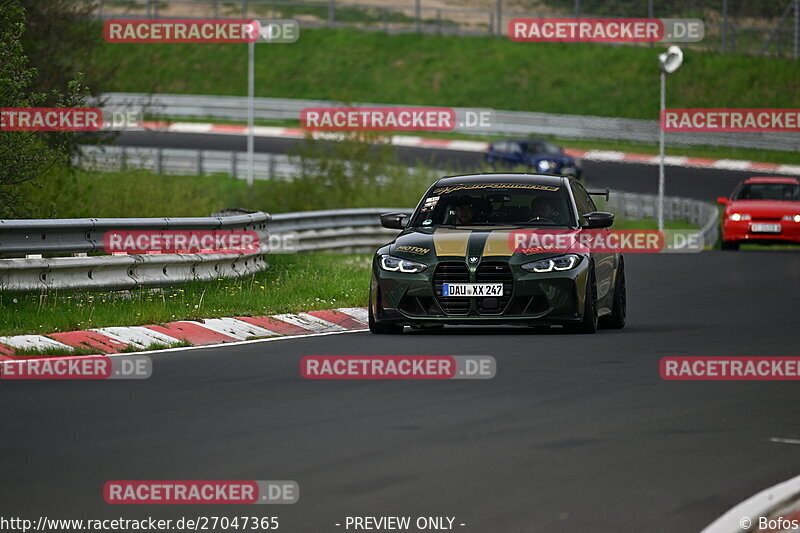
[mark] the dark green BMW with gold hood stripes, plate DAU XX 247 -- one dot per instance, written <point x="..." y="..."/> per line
<point x="461" y="258"/>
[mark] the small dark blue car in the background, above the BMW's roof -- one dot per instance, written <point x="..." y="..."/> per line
<point x="536" y="155"/>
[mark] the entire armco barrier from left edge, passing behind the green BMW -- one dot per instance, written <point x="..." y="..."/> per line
<point x="338" y="230"/>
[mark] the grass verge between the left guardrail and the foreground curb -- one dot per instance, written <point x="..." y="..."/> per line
<point x="338" y="281"/>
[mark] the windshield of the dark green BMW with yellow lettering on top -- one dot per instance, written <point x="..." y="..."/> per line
<point x="496" y="204"/>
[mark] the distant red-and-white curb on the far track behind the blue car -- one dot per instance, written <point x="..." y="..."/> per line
<point x="477" y="146"/>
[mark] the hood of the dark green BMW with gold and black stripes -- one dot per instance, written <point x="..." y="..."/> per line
<point x="493" y="243"/>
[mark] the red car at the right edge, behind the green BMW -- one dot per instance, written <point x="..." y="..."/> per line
<point x="762" y="211"/>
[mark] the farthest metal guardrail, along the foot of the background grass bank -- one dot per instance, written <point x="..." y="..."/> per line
<point x="516" y="123"/>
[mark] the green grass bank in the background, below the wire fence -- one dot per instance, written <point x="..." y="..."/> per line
<point x="350" y="65"/>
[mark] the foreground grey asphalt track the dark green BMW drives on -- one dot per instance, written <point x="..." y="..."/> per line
<point x="575" y="434"/>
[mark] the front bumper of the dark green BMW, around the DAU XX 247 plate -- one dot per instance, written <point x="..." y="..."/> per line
<point x="528" y="298"/>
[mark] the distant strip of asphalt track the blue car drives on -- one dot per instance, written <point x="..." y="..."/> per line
<point x="703" y="184"/>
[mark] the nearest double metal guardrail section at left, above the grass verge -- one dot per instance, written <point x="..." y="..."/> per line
<point x="58" y="237"/>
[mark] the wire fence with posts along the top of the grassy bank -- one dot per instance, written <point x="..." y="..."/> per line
<point x="754" y="27"/>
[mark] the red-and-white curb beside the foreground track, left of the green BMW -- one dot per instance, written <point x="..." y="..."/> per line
<point x="115" y="339"/>
